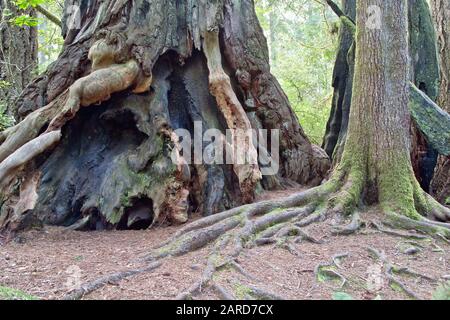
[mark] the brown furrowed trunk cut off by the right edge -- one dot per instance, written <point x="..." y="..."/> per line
<point x="441" y="15"/>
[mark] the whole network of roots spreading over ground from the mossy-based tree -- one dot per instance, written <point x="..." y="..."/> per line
<point x="281" y="222"/>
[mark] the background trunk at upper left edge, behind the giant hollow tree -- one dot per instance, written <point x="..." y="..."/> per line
<point x="18" y="53"/>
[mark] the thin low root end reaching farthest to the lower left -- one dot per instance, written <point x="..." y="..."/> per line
<point x="103" y="281"/>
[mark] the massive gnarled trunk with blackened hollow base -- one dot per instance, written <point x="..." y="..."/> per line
<point x="112" y="167"/>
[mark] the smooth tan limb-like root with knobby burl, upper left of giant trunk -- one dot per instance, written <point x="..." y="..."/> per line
<point x="107" y="77"/>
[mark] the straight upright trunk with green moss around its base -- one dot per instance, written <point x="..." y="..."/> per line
<point x="376" y="153"/>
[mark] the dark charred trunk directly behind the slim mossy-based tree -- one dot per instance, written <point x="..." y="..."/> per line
<point x="425" y="75"/>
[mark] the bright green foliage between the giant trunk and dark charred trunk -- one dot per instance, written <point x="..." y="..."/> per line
<point x="302" y="38"/>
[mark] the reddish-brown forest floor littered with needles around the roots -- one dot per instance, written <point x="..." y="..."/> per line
<point x="45" y="263"/>
